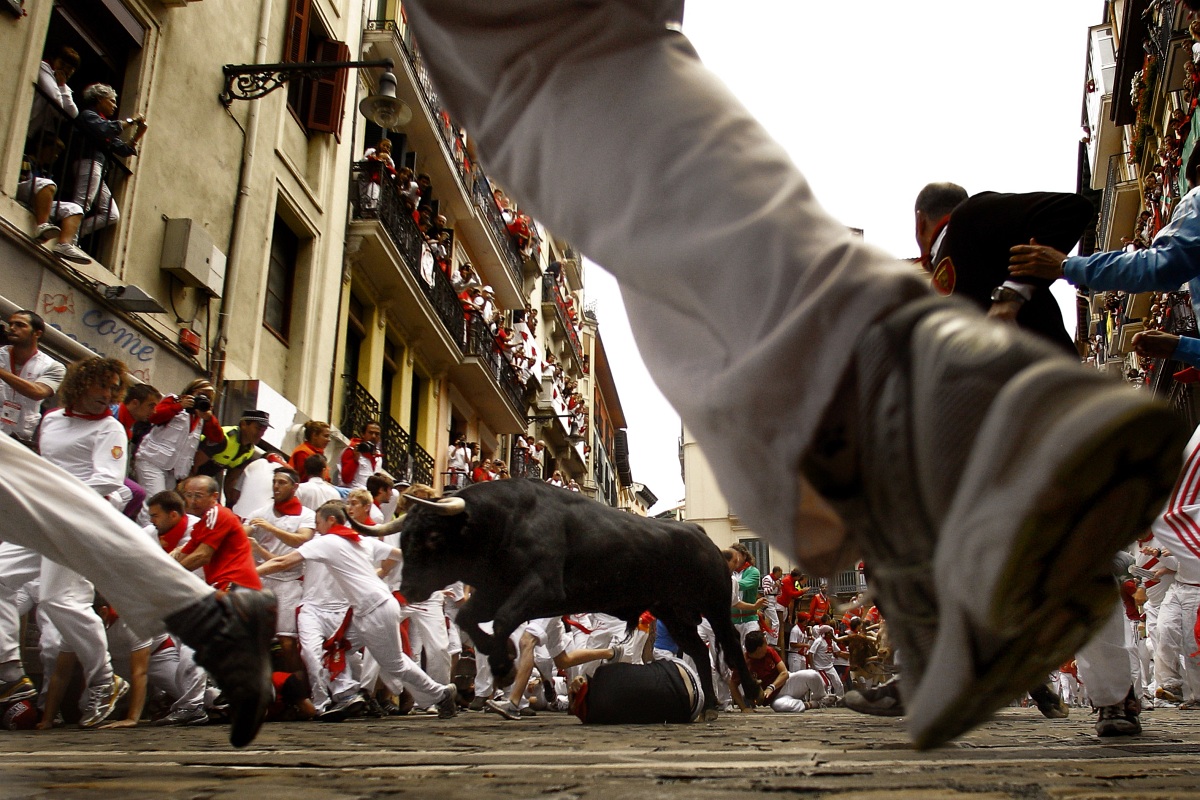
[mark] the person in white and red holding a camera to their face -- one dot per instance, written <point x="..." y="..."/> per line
<point x="167" y="454"/>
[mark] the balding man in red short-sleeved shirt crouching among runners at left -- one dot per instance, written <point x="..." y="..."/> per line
<point x="219" y="542"/>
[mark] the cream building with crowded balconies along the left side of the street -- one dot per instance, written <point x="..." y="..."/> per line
<point x="255" y="242"/>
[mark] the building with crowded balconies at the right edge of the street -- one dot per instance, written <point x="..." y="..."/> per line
<point x="1141" y="97"/>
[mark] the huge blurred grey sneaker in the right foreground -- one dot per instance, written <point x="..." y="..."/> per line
<point x="992" y="482"/>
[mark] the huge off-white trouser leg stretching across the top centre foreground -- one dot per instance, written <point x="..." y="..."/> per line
<point x="728" y="264"/>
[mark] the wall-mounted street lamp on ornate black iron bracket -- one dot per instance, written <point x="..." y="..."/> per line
<point x="255" y="81"/>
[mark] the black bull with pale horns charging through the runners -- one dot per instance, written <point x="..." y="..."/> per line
<point x="532" y="551"/>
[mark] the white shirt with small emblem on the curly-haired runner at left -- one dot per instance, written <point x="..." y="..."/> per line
<point x="95" y="452"/>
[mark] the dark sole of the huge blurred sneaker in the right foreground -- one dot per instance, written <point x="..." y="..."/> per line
<point x="1057" y="588"/>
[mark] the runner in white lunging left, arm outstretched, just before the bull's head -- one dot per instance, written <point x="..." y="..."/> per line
<point x="376" y="612"/>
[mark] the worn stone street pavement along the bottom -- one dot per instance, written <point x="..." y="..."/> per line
<point x="820" y="755"/>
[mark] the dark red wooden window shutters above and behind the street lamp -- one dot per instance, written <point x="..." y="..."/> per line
<point x="317" y="103"/>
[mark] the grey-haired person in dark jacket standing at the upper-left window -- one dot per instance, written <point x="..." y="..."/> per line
<point x="104" y="136"/>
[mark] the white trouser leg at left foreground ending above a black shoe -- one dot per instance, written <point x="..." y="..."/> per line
<point x="47" y="510"/>
